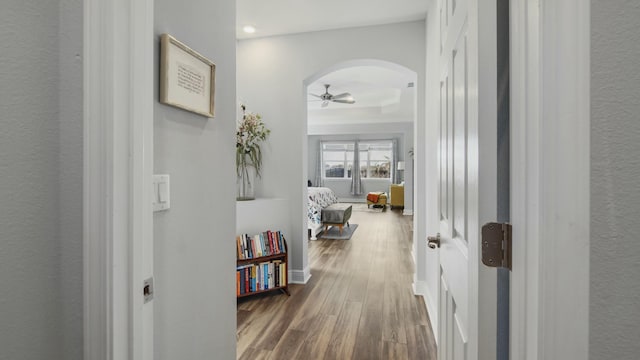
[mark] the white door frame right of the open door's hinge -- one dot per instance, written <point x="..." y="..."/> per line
<point x="550" y="172"/>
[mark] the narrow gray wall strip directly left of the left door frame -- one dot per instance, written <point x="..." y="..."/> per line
<point x="70" y="175"/>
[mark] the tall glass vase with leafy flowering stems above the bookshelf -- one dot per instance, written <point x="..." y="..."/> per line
<point x="250" y="133"/>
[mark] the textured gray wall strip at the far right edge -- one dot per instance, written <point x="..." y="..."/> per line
<point x="615" y="180"/>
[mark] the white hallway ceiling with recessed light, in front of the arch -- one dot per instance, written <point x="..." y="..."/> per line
<point x="277" y="17"/>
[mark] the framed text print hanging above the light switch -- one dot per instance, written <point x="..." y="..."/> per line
<point x="187" y="79"/>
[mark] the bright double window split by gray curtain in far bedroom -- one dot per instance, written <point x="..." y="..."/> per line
<point x="375" y="159"/>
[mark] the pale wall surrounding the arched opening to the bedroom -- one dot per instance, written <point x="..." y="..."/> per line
<point x="271" y="72"/>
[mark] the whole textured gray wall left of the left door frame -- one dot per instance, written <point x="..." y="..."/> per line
<point x="41" y="172"/>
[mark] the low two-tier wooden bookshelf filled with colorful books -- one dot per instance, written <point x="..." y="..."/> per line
<point x="262" y="263"/>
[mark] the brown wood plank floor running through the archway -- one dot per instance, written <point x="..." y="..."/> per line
<point x="358" y="304"/>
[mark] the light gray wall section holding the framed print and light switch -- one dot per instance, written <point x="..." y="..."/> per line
<point x="194" y="241"/>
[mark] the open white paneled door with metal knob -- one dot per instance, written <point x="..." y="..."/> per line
<point x="461" y="138"/>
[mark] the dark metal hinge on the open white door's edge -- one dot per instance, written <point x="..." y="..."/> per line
<point x="496" y="245"/>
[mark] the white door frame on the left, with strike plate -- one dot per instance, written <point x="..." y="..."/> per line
<point x="118" y="166"/>
